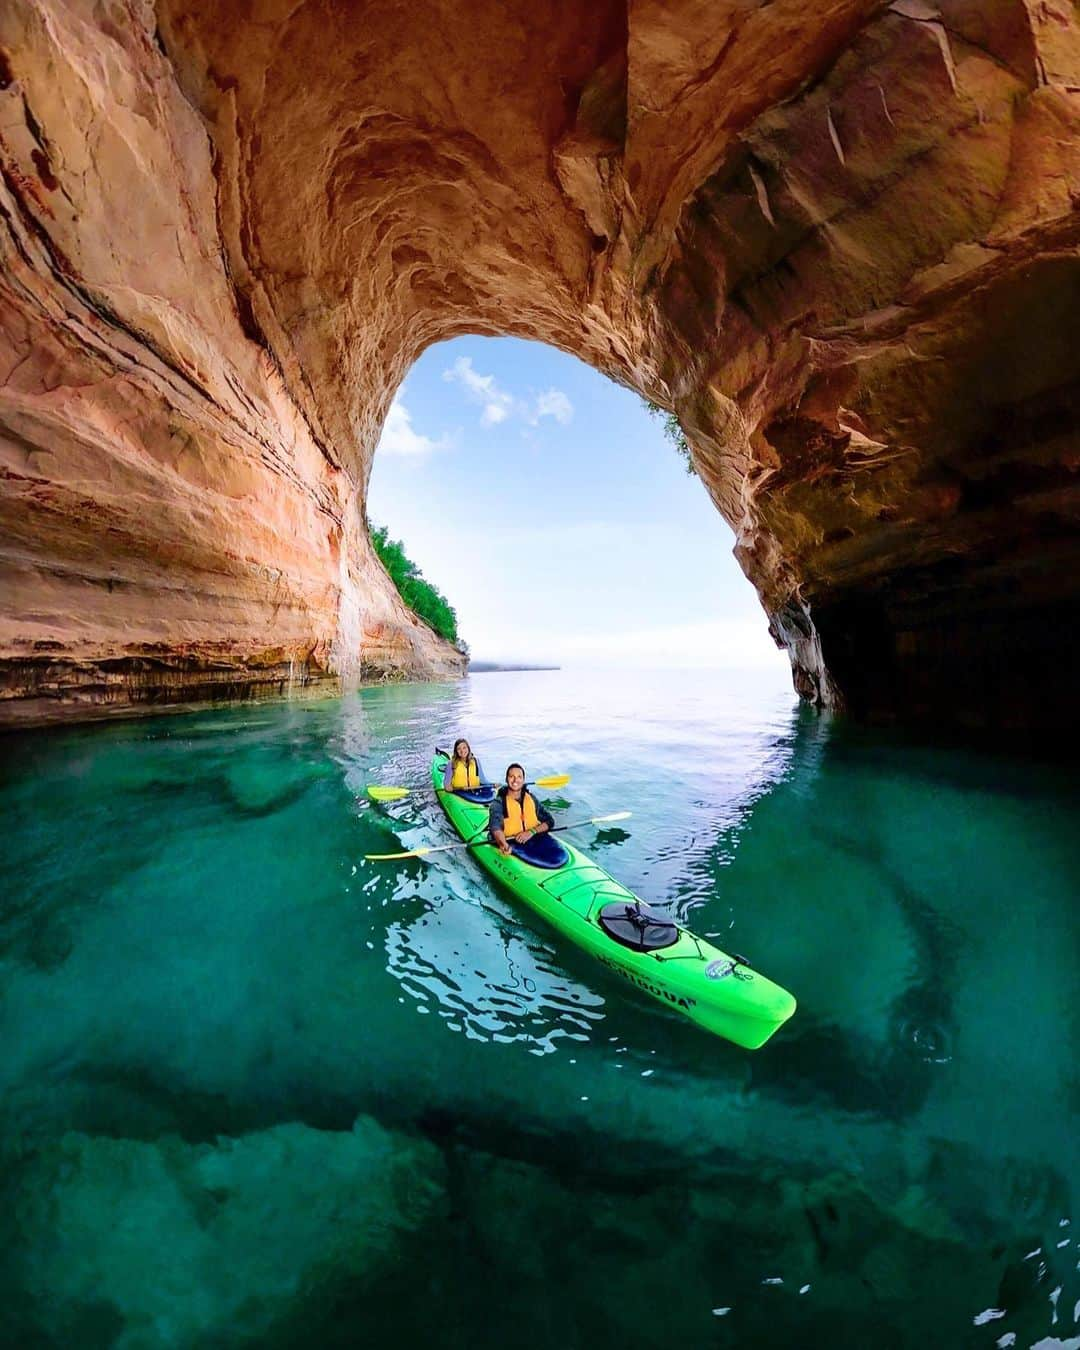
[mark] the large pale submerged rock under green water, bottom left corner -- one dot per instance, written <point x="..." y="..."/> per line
<point x="167" y="1244"/>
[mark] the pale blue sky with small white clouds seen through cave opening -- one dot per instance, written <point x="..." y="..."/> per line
<point x="547" y="506"/>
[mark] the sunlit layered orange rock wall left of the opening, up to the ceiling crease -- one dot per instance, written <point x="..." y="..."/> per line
<point x="172" y="527"/>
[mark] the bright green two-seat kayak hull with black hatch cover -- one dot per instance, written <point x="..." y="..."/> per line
<point x="688" y="974"/>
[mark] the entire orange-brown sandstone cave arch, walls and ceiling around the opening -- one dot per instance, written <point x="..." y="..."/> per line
<point x="843" y="246"/>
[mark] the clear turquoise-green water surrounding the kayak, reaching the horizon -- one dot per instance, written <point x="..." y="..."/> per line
<point x="257" y="1093"/>
